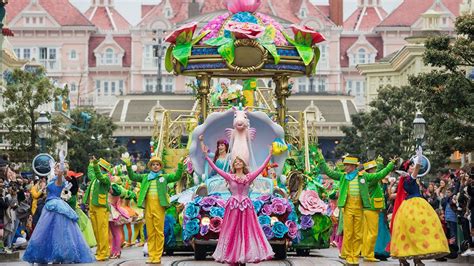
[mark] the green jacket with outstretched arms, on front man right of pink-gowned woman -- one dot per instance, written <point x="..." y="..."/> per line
<point x="363" y="177"/>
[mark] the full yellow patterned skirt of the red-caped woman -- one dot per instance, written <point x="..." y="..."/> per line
<point x="417" y="232"/>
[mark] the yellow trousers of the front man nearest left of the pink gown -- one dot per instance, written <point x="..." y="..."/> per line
<point x="155" y="225"/>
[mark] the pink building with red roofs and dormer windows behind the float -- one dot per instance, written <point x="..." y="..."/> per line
<point x="101" y="56"/>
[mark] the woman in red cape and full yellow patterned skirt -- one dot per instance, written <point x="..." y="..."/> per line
<point x="417" y="232"/>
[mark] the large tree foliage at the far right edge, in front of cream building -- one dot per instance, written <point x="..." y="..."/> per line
<point x="447" y="93"/>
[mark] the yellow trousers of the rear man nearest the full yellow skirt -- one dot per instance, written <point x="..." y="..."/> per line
<point x="371" y="228"/>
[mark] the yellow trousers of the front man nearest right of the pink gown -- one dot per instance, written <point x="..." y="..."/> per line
<point x="352" y="241"/>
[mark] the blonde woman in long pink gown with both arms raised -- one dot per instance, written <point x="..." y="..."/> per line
<point x="241" y="239"/>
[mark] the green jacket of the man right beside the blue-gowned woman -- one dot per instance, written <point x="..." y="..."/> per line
<point x="100" y="194"/>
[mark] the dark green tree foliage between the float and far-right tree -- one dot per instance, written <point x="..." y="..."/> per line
<point x="386" y="129"/>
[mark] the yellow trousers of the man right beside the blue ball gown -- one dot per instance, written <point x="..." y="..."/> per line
<point x="100" y="225"/>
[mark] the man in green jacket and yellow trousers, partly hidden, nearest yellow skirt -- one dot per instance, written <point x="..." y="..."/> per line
<point x="371" y="213"/>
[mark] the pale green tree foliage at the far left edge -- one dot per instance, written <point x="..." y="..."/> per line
<point x="25" y="93"/>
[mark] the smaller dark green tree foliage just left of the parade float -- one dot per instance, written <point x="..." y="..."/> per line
<point x="93" y="137"/>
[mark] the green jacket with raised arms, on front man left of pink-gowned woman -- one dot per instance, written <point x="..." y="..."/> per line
<point x="162" y="186"/>
